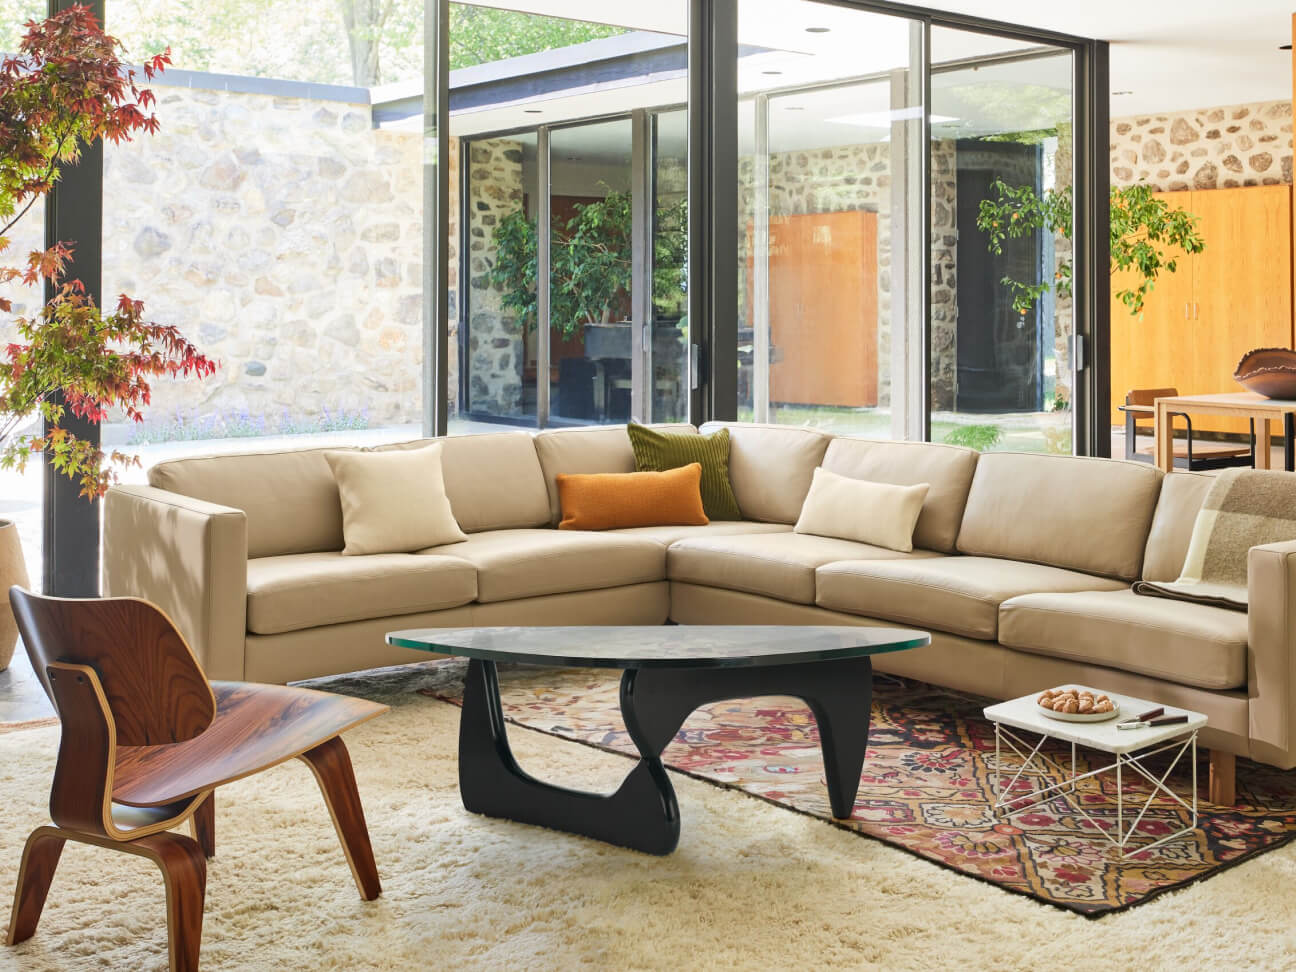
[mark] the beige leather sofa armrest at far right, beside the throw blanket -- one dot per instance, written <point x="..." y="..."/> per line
<point x="1272" y="658"/>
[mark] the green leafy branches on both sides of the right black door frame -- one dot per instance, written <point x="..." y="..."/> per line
<point x="1146" y="237"/>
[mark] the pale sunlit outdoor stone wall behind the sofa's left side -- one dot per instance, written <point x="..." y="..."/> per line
<point x="284" y="237"/>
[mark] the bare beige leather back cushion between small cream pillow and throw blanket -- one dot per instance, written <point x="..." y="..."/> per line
<point x="1089" y="515"/>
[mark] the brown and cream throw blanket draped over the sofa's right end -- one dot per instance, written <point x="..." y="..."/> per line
<point x="1245" y="509"/>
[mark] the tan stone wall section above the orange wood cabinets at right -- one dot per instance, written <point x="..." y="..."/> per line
<point x="1214" y="148"/>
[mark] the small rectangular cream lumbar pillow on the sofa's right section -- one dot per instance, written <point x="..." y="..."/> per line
<point x="859" y="510"/>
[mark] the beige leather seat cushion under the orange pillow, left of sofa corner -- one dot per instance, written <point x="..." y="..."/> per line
<point x="514" y="564"/>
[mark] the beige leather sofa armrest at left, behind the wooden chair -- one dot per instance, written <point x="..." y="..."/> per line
<point x="189" y="558"/>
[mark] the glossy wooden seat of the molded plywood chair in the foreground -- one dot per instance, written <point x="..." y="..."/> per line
<point x="255" y="728"/>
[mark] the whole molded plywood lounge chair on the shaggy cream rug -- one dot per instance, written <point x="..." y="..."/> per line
<point x="146" y="743"/>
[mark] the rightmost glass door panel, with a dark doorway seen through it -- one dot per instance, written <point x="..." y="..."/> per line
<point x="1002" y="322"/>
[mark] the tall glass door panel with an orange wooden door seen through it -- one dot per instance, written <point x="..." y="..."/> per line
<point x="830" y="217"/>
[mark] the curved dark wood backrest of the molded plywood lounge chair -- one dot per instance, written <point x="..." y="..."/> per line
<point x="156" y="690"/>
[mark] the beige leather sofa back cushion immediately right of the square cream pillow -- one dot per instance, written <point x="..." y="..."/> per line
<point x="494" y="481"/>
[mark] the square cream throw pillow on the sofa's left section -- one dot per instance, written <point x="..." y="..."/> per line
<point x="395" y="501"/>
